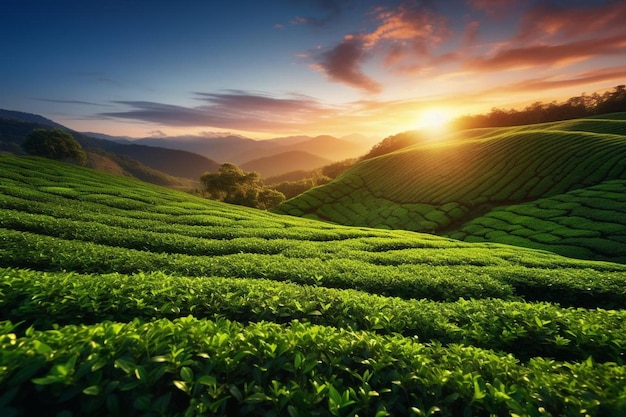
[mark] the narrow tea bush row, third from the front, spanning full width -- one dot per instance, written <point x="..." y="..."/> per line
<point x="569" y="286"/>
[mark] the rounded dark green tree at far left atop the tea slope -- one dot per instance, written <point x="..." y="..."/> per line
<point x="54" y="144"/>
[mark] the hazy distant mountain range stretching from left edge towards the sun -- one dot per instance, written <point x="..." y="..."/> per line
<point x="190" y="156"/>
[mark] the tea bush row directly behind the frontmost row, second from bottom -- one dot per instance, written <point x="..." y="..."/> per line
<point x="523" y="329"/>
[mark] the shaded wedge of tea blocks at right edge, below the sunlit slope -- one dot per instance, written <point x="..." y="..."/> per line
<point x="588" y="223"/>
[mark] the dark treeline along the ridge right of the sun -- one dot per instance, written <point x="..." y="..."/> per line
<point x="576" y="107"/>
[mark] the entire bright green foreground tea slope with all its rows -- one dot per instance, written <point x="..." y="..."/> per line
<point x="123" y="298"/>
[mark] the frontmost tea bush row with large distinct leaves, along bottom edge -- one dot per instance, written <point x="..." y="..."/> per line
<point x="193" y="367"/>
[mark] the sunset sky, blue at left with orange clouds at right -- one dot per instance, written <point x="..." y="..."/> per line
<point x="275" y="68"/>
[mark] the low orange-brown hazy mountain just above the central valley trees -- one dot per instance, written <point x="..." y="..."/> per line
<point x="285" y="162"/>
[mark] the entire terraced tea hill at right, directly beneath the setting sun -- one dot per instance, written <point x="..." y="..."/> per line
<point x="442" y="186"/>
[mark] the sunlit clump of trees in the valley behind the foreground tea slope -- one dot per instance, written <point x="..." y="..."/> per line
<point x="231" y="184"/>
